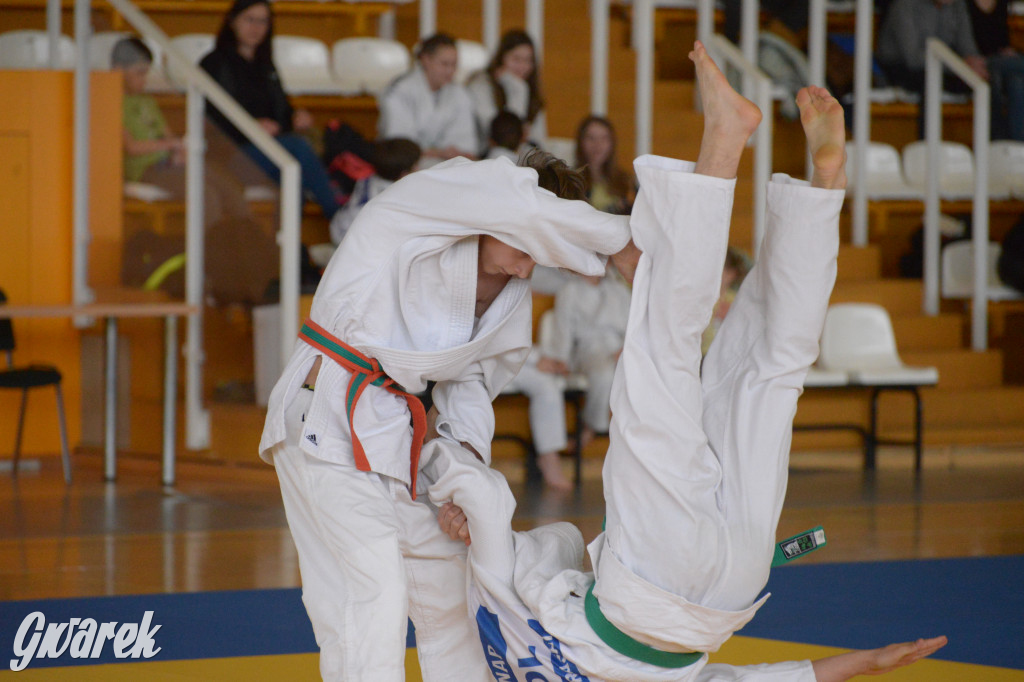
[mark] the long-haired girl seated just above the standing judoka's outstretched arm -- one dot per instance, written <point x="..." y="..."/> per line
<point x="610" y="188"/>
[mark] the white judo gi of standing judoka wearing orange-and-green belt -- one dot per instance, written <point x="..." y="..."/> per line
<point x="402" y="289"/>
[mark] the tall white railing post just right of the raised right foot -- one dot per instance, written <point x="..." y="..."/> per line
<point x="863" y="116"/>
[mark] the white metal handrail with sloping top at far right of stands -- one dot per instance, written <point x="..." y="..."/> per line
<point x="937" y="57"/>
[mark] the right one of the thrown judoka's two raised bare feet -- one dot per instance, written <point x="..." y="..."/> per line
<point x="822" y="116"/>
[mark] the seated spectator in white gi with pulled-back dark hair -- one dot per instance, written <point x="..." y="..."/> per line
<point x="426" y="107"/>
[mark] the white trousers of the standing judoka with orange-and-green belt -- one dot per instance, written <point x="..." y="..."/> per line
<point x="370" y="559"/>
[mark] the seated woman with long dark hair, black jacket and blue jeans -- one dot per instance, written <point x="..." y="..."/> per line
<point x="242" y="63"/>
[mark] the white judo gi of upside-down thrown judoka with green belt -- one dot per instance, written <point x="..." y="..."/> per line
<point x="697" y="470"/>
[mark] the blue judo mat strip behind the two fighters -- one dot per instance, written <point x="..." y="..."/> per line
<point x="978" y="604"/>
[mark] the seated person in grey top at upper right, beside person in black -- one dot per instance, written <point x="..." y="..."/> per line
<point x="904" y="36"/>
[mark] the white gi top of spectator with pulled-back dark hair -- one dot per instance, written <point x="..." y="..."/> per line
<point x="433" y="120"/>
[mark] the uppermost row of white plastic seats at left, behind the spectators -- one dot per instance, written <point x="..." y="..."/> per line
<point x="308" y="66"/>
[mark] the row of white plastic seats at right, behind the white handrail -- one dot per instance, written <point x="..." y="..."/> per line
<point x="891" y="176"/>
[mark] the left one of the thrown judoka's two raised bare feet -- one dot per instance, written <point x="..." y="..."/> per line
<point x="731" y="119"/>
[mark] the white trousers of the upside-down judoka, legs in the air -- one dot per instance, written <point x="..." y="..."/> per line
<point x="697" y="468"/>
